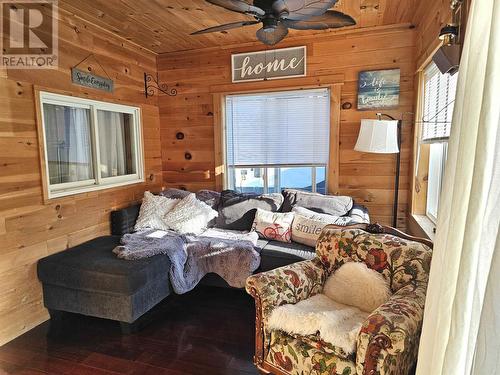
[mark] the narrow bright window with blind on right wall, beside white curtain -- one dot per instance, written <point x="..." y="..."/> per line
<point x="438" y="105"/>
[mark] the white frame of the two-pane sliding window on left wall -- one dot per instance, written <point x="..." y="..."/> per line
<point x="98" y="183"/>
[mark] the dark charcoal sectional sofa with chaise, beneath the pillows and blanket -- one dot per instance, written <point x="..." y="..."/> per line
<point x="89" y="279"/>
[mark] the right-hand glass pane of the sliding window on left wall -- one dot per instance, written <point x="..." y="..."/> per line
<point x="116" y="144"/>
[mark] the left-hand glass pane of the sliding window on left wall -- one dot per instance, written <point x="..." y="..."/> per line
<point x="68" y="143"/>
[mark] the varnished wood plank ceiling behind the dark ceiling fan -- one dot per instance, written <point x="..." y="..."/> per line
<point x="164" y="25"/>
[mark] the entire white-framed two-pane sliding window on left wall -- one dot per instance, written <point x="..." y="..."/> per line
<point x="89" y="145"/>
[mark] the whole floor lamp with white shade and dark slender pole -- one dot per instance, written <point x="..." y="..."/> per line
<point x="383" y="137"/>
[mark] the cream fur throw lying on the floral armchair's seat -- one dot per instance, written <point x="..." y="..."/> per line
<point x="336" y="323"/>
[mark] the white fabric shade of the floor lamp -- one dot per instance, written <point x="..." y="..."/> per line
<point x="378" y="136"/>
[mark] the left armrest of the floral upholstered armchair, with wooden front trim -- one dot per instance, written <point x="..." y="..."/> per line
<point x="289" y="284"/>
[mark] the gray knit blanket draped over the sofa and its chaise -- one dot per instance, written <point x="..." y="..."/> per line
<point x="192" y="257"/>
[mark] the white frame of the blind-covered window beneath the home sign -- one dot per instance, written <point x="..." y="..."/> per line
<point x="227" y="184"/>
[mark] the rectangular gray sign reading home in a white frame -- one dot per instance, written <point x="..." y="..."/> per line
<point x="271" y="64"/>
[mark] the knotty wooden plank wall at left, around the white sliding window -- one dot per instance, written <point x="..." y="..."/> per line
<point x="30" y="229"/>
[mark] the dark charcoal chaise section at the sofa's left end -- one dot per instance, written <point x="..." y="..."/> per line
<point x="89" y="279"/>
